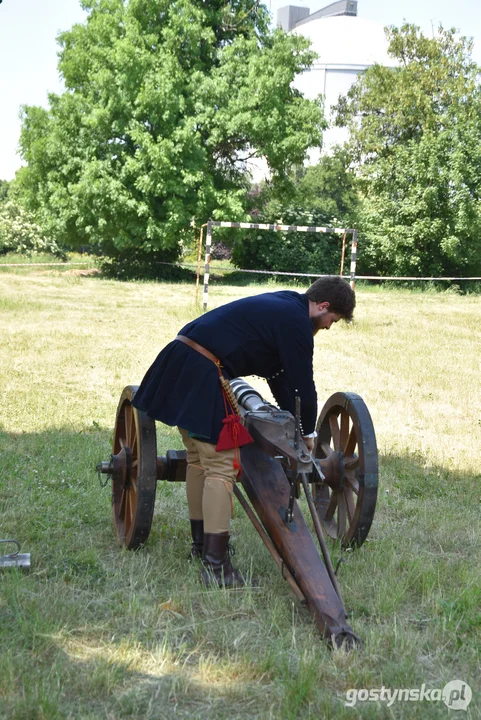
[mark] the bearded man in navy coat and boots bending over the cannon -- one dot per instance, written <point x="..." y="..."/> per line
<point x="268" y="335"/>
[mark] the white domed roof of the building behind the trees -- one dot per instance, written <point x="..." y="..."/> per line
<point x="346" y="41"/>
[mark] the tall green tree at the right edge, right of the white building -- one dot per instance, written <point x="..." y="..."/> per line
<point x="415" y="142"/>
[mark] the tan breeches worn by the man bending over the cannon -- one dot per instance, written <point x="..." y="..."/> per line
<point x="209" y="483"/>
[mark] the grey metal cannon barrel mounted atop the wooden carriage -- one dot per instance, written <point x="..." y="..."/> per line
<point x="273" y="430"/>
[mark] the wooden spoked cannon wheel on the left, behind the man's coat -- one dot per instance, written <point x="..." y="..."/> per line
<point x="134" y="472"/>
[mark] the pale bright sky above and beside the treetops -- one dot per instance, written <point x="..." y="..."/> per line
<point x="28" y="47"/>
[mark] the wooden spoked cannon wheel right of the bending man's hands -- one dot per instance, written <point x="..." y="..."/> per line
<point x="347" y="453"/>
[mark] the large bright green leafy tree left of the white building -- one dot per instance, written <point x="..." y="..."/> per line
<point x="165" y="101"/>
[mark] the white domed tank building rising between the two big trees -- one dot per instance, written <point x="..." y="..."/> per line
<point x="346" y="45"/>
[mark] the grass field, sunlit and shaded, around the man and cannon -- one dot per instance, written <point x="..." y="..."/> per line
<point x="94" y="632"/>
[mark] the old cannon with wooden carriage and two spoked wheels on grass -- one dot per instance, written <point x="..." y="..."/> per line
<point x="339" y="479"/>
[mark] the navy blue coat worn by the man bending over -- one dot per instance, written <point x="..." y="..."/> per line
<point x="268" y="335"/>
